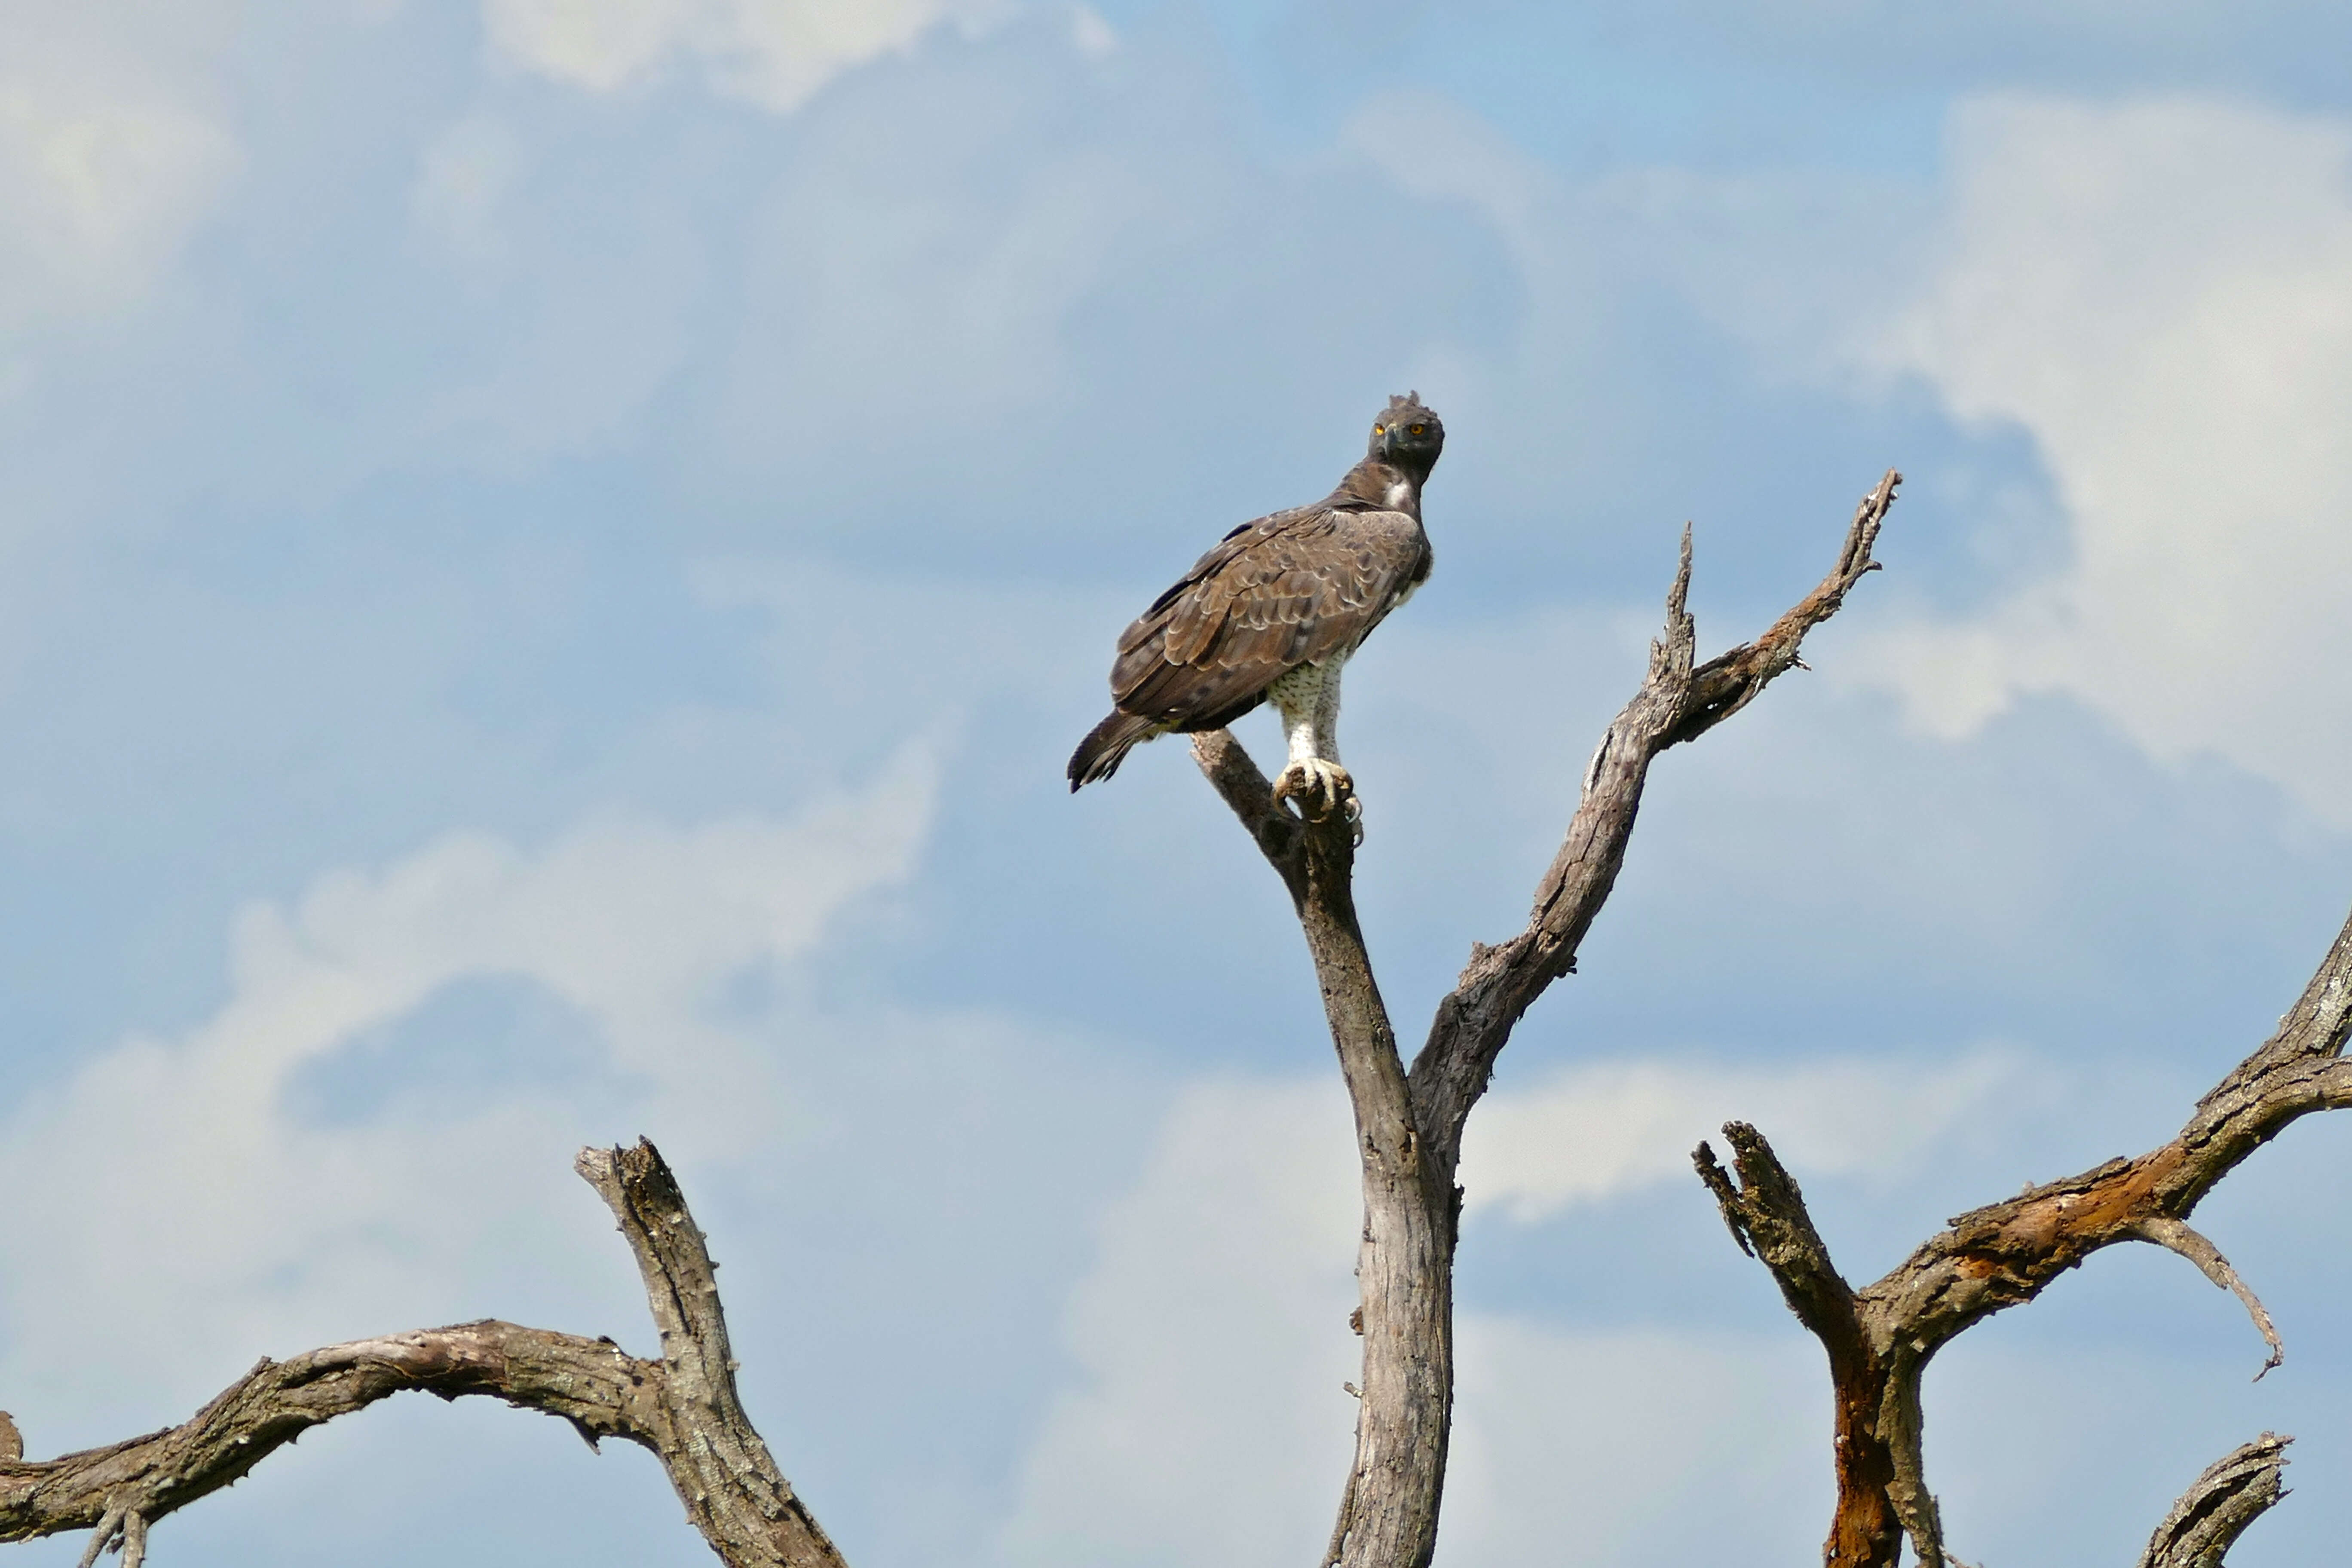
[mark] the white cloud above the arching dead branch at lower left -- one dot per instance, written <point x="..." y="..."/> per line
<point x="178" y="1170"/>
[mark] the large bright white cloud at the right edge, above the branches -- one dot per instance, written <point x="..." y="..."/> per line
<point x="2163" y="295"/>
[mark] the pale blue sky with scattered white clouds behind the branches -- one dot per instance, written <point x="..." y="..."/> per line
<point x="552" y="554"/>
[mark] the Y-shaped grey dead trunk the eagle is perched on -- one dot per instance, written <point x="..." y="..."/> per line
<point x="1410" y="1125"/>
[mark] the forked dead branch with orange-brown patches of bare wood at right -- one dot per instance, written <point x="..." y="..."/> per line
<point x="2005" y="1254"/>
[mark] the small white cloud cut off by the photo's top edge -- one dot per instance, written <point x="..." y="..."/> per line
<point x="770" y="53"/>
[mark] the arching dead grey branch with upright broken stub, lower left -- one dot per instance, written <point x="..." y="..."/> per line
<point x="681" y="1407"/>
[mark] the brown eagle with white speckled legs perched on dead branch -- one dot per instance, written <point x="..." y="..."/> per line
<point x="1276" y="610"/>
